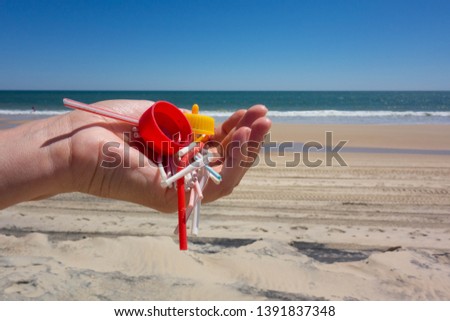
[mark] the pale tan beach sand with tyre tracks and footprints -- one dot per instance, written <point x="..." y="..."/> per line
<point x="377" y="229"/>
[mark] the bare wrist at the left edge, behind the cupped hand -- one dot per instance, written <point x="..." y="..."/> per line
<point x="34" y="161"/>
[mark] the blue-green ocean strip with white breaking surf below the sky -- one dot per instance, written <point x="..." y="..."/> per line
<point x="352" y="107"/>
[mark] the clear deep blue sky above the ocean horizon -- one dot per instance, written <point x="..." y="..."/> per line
<point x="225" y="45"/>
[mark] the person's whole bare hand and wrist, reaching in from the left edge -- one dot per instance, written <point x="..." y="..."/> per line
<point x="63" y="153"/>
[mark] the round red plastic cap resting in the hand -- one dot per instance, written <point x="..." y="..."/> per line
<point x="165" y="127"/>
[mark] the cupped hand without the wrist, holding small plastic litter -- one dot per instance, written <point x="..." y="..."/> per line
<point x="95" y="139"/>
